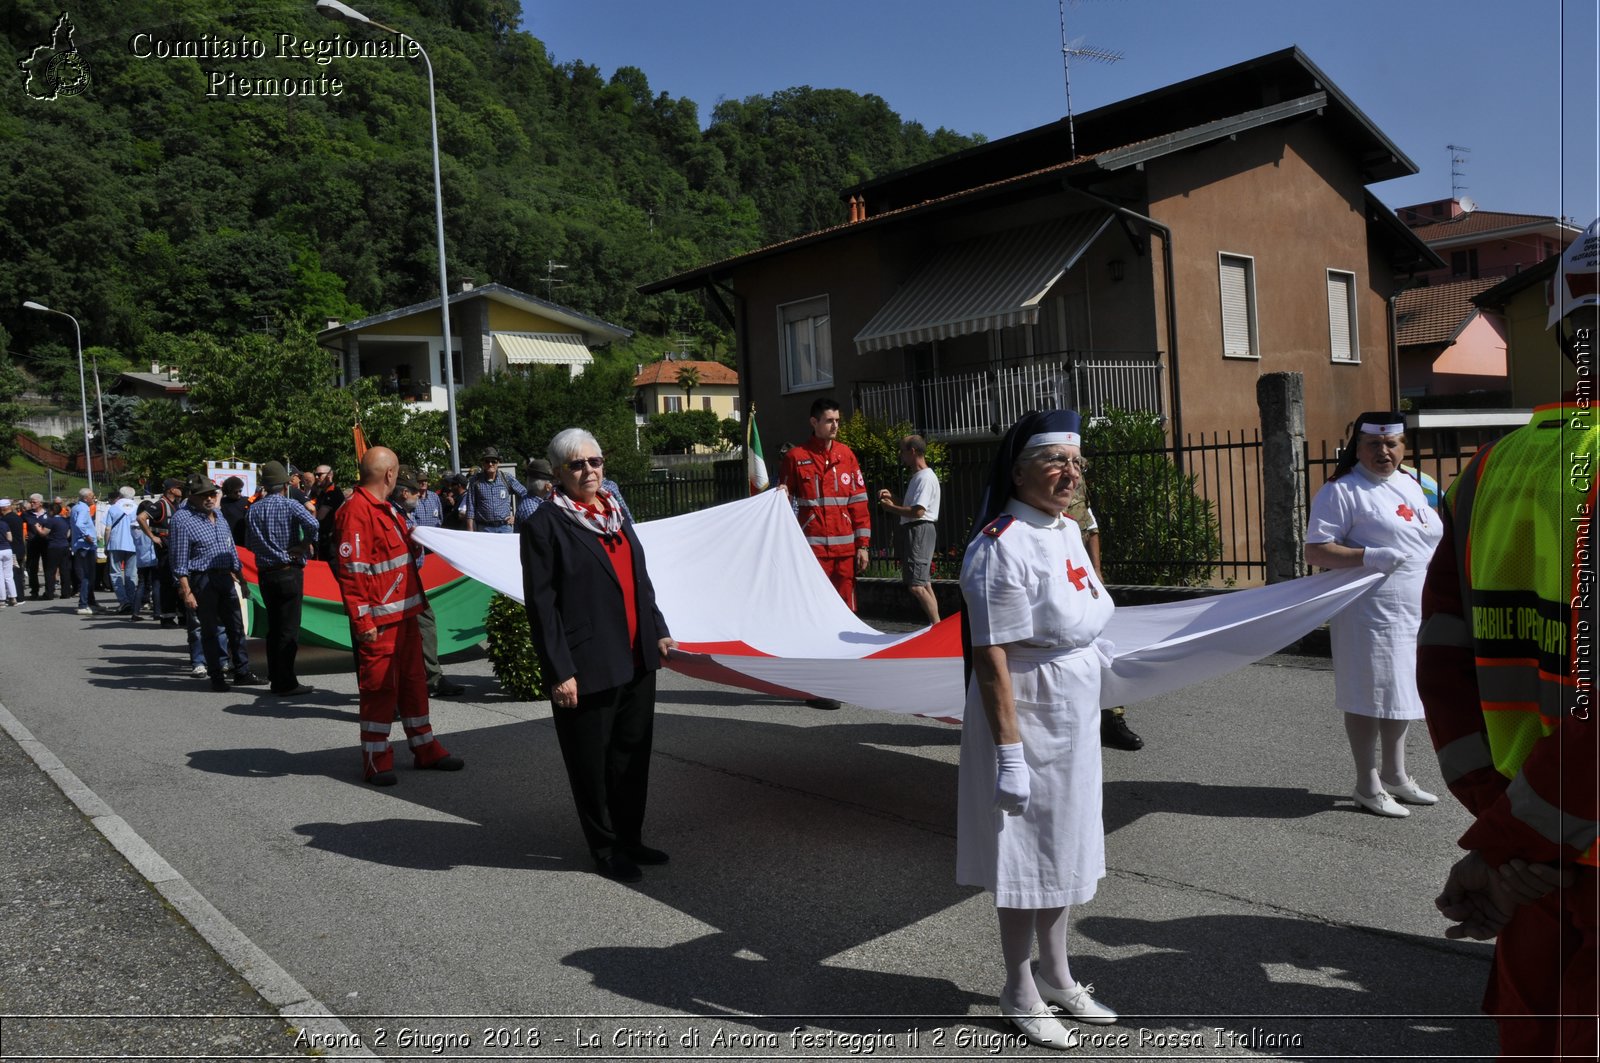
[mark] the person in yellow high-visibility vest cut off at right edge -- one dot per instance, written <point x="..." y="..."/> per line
<point x="1506" y="664"/>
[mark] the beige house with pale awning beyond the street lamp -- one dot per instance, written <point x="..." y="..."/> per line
<point x="492" y="329"/>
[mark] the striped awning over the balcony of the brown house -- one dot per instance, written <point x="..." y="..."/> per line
<point x="985" y="284"/>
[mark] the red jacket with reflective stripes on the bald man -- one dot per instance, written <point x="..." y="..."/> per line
<point x="375" y="563"/>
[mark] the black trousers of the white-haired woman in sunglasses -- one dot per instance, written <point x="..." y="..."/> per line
<point x="606" y="745"/>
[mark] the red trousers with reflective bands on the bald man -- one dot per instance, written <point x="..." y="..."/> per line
<point x="390" y="673"/>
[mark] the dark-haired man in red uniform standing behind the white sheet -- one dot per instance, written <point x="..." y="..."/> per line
<point x="830" y="494"/>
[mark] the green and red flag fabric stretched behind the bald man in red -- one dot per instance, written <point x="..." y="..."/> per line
<point x="460" y="604"/>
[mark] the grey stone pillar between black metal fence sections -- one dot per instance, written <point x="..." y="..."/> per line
<point x="1281" y="398"/>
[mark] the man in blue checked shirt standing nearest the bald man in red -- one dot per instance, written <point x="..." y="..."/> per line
<point x="281" y="572"/>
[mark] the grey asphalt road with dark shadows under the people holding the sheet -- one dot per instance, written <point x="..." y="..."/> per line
<point x="809" y="910"/>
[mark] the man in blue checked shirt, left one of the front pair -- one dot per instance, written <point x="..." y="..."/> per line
<point x="206" y="564"/>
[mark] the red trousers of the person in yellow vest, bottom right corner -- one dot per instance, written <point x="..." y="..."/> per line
<point x="1545" y="965"/>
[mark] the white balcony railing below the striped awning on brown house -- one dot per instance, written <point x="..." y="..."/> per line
<point x="985" y="403"/>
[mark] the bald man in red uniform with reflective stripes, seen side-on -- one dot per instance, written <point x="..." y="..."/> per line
<point x="383" y="595"/>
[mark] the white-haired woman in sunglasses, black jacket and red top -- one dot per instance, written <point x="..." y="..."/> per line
<point x="601" y="640"/>
